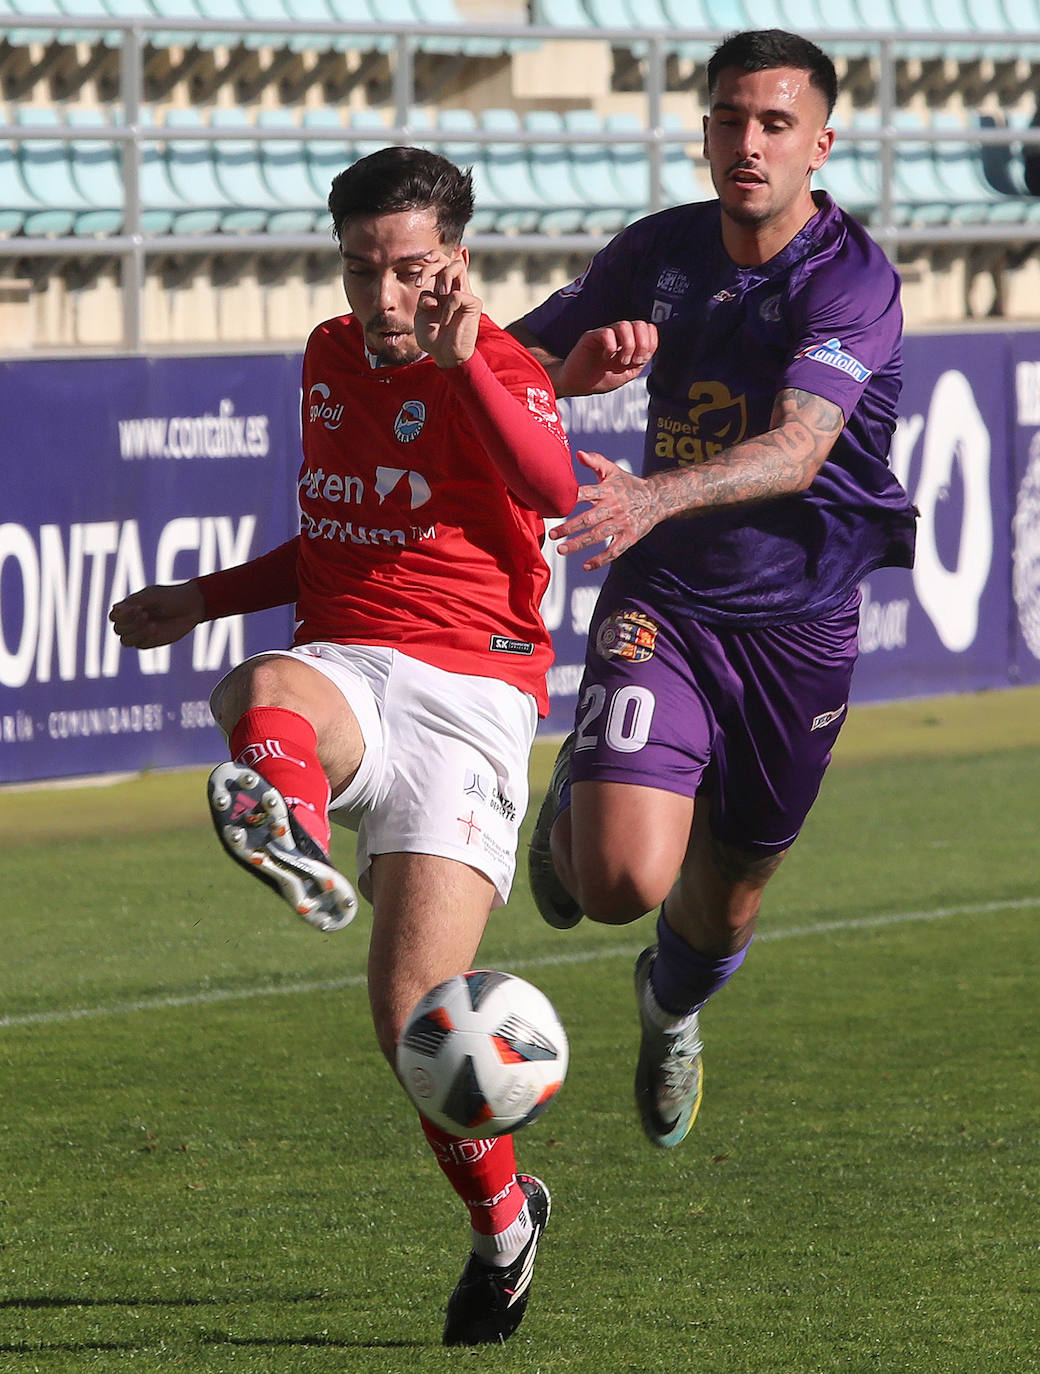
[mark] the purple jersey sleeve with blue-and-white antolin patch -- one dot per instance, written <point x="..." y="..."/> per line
<point x="848" y="326"/>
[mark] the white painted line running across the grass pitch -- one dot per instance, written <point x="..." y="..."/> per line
<point x="550" y="961"/>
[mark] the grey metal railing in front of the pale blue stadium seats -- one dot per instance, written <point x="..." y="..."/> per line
<point x="134" y="248"/>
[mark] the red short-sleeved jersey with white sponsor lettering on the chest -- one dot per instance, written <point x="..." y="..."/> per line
<point x="410" y="535"/>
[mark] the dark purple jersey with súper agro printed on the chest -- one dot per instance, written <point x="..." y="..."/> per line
<point x="822" y="317"/>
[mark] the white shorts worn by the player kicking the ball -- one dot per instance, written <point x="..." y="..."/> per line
<point x="446" y="761"/>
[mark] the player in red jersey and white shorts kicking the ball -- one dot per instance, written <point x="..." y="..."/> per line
<point x="409" y="701"/>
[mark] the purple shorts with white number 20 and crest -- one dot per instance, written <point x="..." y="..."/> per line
<point x="743" y="718"/>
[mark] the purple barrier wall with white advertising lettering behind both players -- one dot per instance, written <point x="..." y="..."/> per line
<point x="122" y="472"/>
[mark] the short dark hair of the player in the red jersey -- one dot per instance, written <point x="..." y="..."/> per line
<point x="405" y="179"/>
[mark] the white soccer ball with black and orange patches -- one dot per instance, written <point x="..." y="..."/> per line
<point x="483" y="1055"/>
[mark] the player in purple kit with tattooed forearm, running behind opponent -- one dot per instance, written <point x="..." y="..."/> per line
<point x="722" y="649"/>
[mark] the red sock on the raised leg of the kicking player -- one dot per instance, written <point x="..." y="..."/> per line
<point x="282" y="747"/>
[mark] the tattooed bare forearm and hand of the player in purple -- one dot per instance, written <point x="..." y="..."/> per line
<point x="782" y="462"/>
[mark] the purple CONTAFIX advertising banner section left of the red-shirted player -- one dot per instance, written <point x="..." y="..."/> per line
<point x="119" y="473"/>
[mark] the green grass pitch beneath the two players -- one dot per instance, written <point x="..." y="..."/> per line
<point x="207" y="1167"/>
